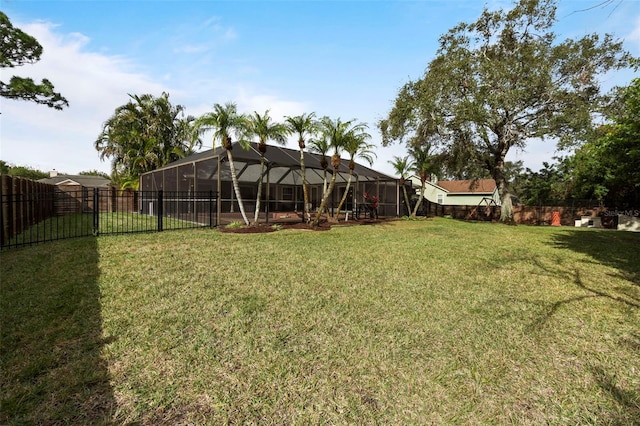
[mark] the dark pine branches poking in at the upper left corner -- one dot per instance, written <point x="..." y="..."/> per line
<point x="18" y="48"/>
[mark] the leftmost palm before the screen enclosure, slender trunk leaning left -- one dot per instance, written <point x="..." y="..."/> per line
<point x="224" y="120"/>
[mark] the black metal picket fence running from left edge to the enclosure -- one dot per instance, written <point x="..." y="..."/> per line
<point x="72" y="213"/>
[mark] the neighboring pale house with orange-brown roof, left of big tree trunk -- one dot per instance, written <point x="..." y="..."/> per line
<point x="461" y="192"/>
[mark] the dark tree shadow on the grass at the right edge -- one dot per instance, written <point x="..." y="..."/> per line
<point x="618" y="249"/>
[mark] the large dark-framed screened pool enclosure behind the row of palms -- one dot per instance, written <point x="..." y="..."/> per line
<point x="282" y="182"/>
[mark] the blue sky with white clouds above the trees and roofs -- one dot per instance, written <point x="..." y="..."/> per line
<point x="342" y="59"/>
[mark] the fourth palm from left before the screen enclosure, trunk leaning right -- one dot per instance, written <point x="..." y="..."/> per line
<point x="337" y="133"/>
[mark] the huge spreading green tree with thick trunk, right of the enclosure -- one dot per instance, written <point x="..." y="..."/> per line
<point x="500" y="81"/>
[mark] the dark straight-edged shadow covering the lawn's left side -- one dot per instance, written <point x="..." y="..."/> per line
<point x="51" y="336"/>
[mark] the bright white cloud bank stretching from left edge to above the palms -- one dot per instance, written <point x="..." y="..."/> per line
<point x="95" y="84"/>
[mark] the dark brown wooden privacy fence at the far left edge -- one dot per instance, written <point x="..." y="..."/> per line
<point x="24" y="203"/>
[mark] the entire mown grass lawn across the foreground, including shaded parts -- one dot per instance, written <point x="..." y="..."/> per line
<point x="409" y="322"/>
